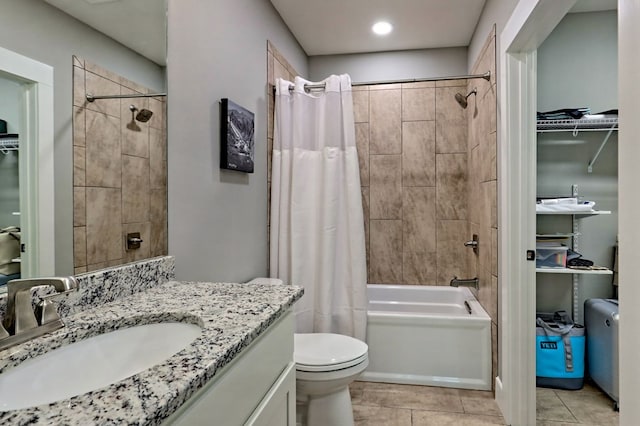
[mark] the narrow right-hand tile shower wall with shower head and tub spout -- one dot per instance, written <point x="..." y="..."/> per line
<point x="481" y="157"/>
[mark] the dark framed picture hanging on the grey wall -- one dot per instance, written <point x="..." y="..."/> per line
<point x="236" y="137"/>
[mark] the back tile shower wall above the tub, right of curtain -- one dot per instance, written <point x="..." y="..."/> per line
<point x="412" y="148"/>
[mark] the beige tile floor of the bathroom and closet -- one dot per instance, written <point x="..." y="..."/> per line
<point x="382" y="404"/>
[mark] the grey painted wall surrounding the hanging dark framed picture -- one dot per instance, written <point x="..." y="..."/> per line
<point x="218" y="218"/>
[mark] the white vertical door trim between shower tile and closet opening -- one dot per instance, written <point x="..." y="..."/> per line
<point x="517" y="235"/>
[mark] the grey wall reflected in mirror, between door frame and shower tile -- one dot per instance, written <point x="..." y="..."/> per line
<point x="34" y="29"/>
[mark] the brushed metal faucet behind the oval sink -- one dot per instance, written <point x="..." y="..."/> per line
<point x="21" y="322"/>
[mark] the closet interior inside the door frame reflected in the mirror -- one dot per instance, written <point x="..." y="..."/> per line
<point x="10" y="107"/>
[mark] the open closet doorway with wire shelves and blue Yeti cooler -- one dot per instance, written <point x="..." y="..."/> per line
<point x="577" y="158"/>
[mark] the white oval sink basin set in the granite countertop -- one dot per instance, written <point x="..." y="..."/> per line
<point x="91" y="364"/>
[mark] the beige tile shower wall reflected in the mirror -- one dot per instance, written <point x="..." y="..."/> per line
<point x="119" y="171"/>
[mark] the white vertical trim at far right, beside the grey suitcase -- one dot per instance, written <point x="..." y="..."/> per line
<point x="628" y="205"/>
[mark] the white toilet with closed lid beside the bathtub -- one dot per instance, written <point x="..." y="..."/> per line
<point x="326" y="364"/>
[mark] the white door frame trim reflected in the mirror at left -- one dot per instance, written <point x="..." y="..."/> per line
<point x="35" y="162"/>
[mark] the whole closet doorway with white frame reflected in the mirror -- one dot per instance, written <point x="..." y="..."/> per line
<point x="26" y="199"/>
